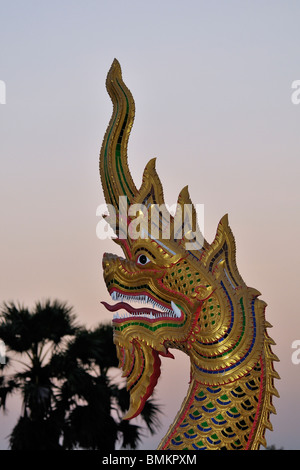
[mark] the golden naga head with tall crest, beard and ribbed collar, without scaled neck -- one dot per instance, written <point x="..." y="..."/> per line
<point x="172" y="288"/>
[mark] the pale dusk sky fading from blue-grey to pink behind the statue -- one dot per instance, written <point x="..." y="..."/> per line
<point x="212" y="85"/>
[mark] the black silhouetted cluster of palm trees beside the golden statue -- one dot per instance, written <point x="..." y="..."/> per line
<point x="63" y="372"/>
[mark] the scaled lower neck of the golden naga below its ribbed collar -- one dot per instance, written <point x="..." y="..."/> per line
<point x="226" y="416"/>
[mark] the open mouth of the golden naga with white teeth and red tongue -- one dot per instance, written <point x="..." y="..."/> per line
<point x="149" y="309"/>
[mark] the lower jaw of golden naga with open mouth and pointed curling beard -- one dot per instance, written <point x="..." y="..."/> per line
<point x="143" y="324"/>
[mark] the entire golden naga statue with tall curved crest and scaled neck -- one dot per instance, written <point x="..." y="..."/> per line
<point x="188" y="295"/>
